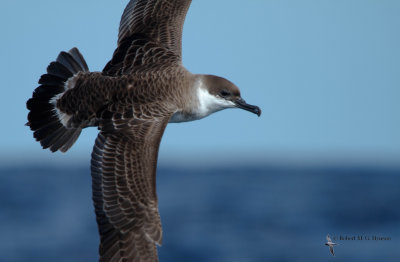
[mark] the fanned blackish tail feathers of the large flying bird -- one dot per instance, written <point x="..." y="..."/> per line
<point x="44" y="119"/>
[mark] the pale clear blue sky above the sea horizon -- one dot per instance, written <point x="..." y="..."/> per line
<point x="325" y="73"/>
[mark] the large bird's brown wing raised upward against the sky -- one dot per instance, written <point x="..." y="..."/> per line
<point x="150" y="35"/>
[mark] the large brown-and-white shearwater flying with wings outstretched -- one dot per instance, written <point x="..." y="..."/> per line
<point x="141" y="89"/>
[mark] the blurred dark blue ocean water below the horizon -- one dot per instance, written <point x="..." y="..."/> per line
<point x="254" y="213"/>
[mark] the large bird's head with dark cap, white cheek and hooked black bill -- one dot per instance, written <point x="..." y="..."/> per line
<point x="217" y="93"/>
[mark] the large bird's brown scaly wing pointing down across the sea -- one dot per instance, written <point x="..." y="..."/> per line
<point x="123" y="167"/>
